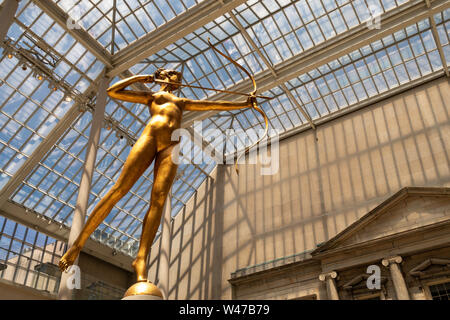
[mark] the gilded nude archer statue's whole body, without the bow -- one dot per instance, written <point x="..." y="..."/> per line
<point x="155" y="143"/>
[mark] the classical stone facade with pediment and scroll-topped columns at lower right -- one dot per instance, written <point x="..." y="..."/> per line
<point x="409" y="259"/>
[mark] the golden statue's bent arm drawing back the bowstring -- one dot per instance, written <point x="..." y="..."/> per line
<point x="117" y="91"/>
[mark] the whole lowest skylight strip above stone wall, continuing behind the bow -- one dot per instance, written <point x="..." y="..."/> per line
<point x="352" y="79"/>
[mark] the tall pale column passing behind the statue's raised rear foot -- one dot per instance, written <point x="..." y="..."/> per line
<point x="79" y="215"/>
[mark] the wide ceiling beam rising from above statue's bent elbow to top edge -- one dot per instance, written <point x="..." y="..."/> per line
<point x="170" y="32"/>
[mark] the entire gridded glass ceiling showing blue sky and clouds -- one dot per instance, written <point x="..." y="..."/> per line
<point x="32" y="105"/>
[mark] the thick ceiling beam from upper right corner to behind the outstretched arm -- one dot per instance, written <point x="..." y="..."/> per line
<point x="345" y="43"/>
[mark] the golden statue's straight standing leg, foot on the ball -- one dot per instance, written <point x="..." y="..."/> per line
<point x="164" y="174"/>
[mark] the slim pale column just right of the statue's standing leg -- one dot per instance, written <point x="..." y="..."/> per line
<point x="166" y="244"/>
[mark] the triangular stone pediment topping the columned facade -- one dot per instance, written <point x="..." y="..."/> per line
<point x="407" y="210"/>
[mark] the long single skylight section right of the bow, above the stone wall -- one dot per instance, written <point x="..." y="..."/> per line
<point x="384" y="69"/>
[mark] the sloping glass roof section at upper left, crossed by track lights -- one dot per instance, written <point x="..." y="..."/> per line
<point x="30" y="105"/>
